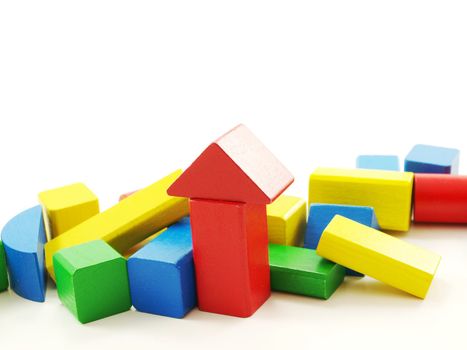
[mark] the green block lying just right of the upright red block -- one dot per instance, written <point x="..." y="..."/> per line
<point x="301" y="271"/>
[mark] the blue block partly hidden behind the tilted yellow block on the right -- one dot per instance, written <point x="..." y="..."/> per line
<point x="320" y="216"/>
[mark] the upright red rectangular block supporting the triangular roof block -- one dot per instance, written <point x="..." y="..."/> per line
<point x="230" y="249"/>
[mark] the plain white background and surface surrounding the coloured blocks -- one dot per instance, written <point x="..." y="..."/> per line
<point x="117" y="94"/>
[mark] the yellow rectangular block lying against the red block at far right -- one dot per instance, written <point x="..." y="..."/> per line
<point x="388" y="192"/>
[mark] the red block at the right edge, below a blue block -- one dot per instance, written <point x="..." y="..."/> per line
<point x="440" y="198"/>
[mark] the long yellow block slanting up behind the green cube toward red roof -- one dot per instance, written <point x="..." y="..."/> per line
<point x="126" y="223"/>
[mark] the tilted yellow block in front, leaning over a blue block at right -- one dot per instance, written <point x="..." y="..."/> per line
<point x="379" y="255"/>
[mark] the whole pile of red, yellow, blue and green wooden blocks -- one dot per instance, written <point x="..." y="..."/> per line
<point x="221" y="234"/>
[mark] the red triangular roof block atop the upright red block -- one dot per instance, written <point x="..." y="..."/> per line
<point x="236" y="167"/>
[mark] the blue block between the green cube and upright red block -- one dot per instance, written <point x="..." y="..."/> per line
<point x="162" y="275"/>
